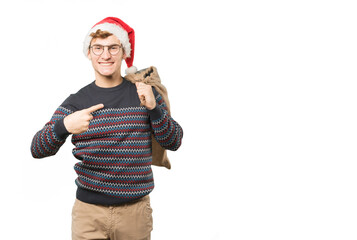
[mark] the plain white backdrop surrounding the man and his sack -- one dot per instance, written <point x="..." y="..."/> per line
<point x="264" y="90"/>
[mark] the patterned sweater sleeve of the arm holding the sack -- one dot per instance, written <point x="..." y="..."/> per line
<point x="167" y="132"/>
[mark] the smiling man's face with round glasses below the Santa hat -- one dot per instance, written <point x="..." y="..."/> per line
<point x="106" y="64"/>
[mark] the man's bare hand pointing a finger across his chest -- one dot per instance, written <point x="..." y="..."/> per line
<point x="78" y="122"/>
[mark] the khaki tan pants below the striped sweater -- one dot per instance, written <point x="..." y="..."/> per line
<point x="131" y="221"/>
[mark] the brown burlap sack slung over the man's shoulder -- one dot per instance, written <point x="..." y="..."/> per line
<point x="151" y="77"/>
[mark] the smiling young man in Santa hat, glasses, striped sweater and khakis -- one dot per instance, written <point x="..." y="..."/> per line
<point x="112" y="138"/>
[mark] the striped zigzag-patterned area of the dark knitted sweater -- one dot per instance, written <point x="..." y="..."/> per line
<point x="115" y="152"/>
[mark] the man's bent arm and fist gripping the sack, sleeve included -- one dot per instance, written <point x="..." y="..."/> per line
<point x="168" y="133"/>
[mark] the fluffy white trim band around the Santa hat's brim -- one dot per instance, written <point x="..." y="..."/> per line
<point x="119" y="32"/>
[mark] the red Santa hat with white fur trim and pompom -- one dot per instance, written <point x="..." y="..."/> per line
<point x="123" y="32"/>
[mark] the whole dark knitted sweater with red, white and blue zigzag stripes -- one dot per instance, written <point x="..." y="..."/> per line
<point x="115" y="152"/>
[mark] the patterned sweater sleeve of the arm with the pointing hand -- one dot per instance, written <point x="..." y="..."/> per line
<point x="52" y="136"/>
